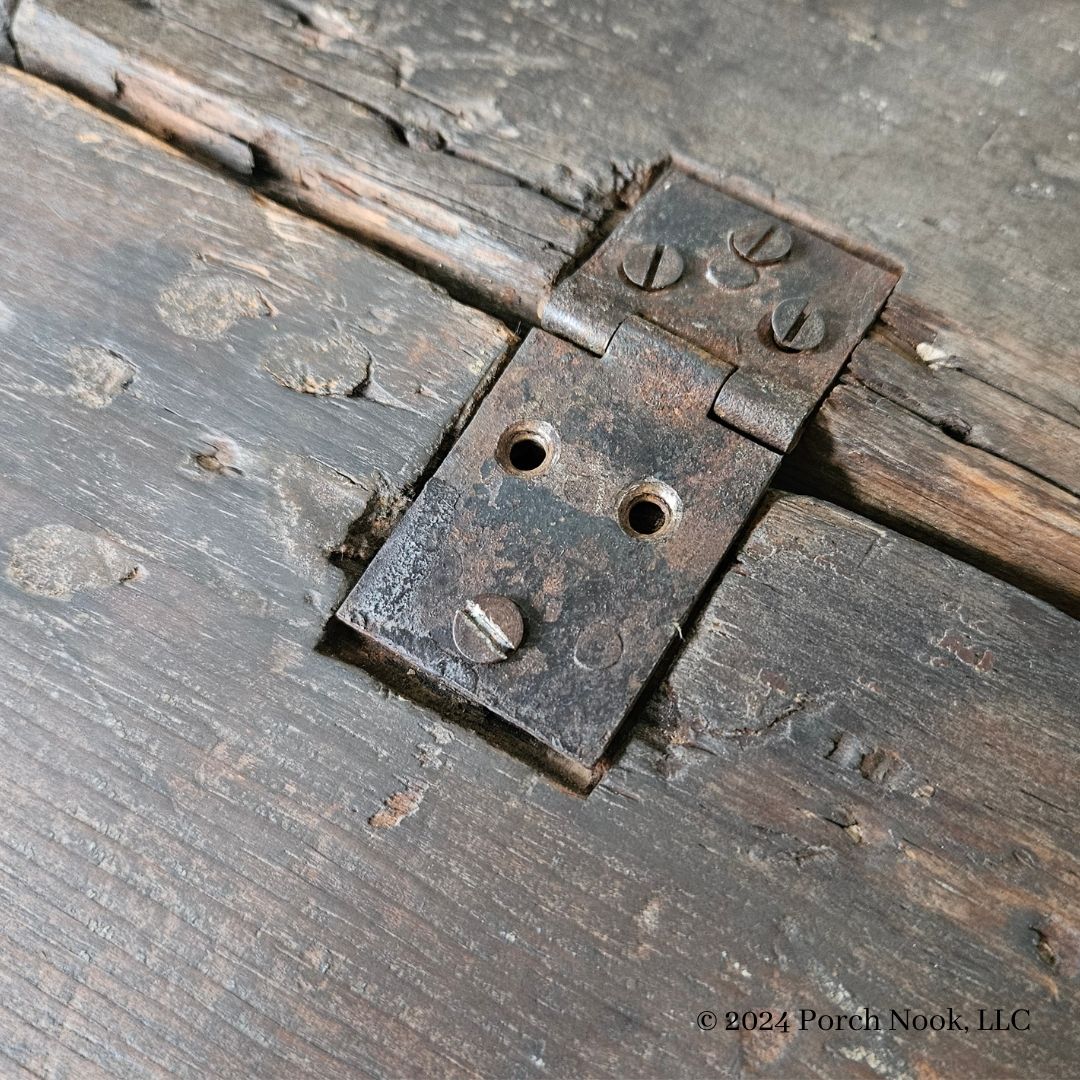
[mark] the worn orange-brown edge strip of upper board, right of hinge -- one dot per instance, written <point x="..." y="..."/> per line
<point x="868" y="449"/>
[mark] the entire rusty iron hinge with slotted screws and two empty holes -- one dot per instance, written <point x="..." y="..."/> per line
<point x="551" y="561"/>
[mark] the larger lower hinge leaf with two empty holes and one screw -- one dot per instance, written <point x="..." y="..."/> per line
<point x="599" y="603"/>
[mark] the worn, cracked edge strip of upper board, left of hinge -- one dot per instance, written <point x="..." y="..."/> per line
<point x="316" y="146"/>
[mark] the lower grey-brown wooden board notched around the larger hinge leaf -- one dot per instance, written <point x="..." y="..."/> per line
<point x="226" y="852"/>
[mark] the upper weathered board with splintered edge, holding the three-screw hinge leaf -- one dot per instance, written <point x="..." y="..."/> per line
<point x="415" y="125"/>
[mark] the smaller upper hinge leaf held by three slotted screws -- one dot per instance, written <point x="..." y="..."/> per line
<point x="700" y="289"/>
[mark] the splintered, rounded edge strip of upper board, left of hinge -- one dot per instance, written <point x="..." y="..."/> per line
<point x="508" y="260"/>
